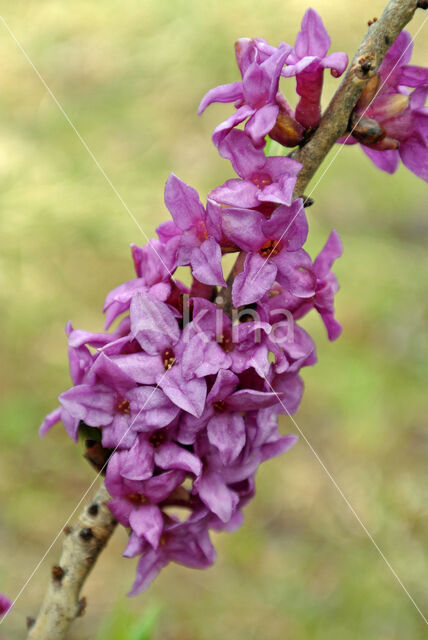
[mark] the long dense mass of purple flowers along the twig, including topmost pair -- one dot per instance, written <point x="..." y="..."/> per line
<point x="179" y="402"/>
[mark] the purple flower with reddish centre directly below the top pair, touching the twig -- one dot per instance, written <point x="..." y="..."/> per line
<point x="263" y="180"/>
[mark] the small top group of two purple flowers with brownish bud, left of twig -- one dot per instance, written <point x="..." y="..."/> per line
<point x="257" y="97"/>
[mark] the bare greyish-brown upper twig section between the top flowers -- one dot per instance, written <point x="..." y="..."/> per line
<point x="370" y="53"/>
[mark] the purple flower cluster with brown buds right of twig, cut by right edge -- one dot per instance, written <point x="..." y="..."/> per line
<point x="390" y="119"/>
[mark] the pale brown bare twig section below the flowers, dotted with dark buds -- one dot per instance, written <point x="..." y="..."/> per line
<point x="81" y="548"/>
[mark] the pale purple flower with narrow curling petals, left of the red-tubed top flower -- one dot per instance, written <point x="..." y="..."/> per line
<point x="254" y="96"/>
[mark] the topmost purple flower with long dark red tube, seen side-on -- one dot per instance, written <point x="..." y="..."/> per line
<point x="307" y="62"/>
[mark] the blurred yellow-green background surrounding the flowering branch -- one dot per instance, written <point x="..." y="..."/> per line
<point x="130" y="76"/>
